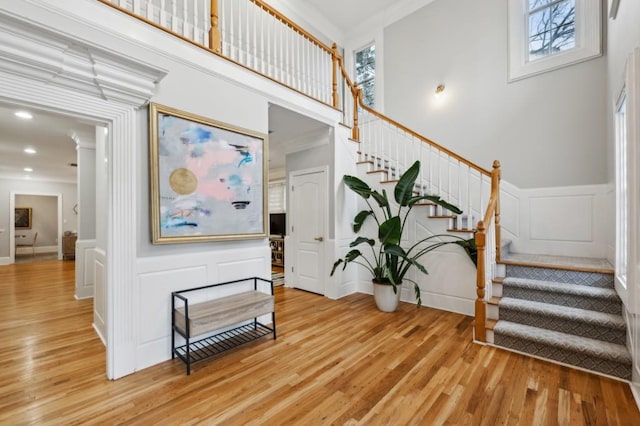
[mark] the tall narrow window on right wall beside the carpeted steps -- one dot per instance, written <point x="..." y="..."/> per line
<point x="622" y="203"/>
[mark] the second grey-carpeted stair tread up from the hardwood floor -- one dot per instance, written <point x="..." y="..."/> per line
<point x="568" y="313"/>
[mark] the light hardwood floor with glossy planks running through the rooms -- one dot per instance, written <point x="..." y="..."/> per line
<point x="335" y="362"/>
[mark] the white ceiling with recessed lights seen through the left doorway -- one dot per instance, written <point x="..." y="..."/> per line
<point x="49" y="134"/>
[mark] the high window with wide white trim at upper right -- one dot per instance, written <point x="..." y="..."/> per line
<point x="549" y="34"/>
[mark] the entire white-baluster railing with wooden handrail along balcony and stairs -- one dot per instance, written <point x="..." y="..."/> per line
<point x="254" y="35"/>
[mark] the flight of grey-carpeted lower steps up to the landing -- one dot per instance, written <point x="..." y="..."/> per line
<point x="567" y="312"/>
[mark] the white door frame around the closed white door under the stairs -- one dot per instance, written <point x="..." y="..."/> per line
<point x="290" y="261"/>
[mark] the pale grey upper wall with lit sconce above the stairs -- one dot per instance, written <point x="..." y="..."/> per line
<point x="547" y="130"/>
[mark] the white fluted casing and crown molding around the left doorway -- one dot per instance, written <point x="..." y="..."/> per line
<point x="48" y="70"/>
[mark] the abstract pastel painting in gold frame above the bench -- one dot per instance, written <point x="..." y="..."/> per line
<point x="208" y="179"/>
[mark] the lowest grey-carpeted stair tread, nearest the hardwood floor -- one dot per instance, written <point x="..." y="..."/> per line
<point x="585" y="345"/>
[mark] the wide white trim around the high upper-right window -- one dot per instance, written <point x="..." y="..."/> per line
<point x="588" y="40"/>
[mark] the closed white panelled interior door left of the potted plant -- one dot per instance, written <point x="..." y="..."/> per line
<point x="308" y="204"/>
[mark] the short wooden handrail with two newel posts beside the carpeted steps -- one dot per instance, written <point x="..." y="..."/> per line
<point x="493" y="210"/>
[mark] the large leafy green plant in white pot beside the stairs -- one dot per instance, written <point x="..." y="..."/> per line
<point x="390" y="262"/>
